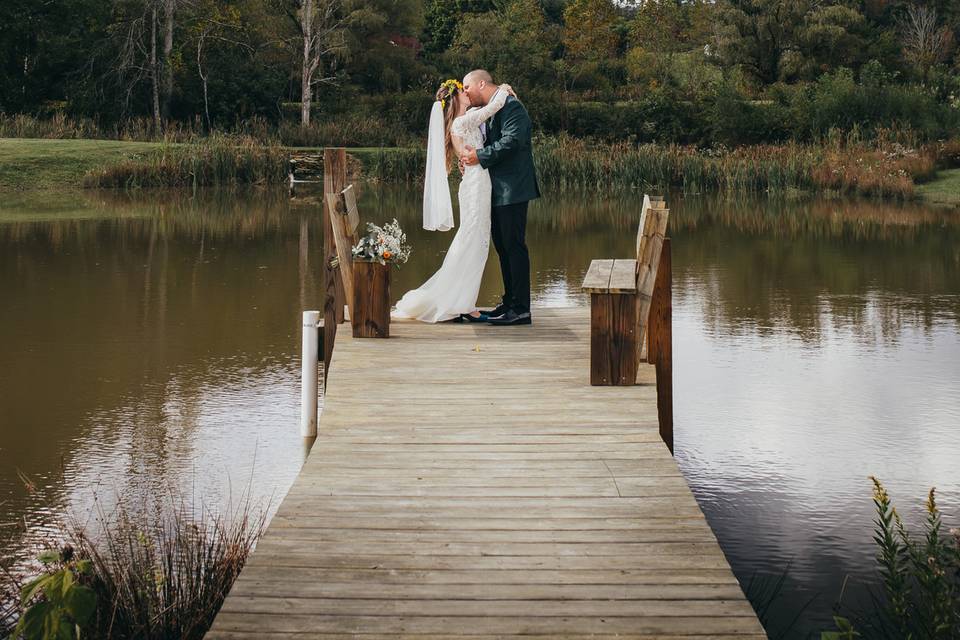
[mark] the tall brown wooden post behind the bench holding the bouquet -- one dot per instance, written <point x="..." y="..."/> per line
<point x="334" y="181"/>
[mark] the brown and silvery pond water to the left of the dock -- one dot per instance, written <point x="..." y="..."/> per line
<point x="150" y="346"/>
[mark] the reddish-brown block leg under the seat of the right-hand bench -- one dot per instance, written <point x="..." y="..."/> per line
<point x="613" y="339"/>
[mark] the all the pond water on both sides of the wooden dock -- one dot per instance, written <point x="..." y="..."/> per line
<point x="150" y="345"/>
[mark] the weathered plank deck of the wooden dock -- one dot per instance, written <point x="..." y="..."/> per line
<point x="468" y="482"/>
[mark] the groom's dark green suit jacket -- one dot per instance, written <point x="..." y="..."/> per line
<point x="508" y="155"/>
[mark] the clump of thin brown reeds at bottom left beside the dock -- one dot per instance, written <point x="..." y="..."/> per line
<point x="159" y="571"/>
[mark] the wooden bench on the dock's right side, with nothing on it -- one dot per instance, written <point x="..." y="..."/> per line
<point x="621" y="296"/>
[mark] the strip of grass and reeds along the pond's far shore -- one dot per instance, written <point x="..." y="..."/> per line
<point x="888" y="170"/>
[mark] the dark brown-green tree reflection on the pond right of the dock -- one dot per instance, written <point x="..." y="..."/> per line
<point x="822" y="266"/>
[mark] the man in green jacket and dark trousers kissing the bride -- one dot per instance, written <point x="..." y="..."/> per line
<point x="507" y="154"/>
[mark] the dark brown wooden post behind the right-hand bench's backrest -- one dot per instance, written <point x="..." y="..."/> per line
<point x="660" y="345"/>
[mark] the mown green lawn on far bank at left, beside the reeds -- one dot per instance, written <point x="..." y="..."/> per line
<point x="46" y="164"/>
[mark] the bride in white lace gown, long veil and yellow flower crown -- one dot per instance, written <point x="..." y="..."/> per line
<point x="451" y="293"/>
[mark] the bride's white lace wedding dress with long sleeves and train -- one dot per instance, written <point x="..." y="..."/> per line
<point x="454" y="288"/>
